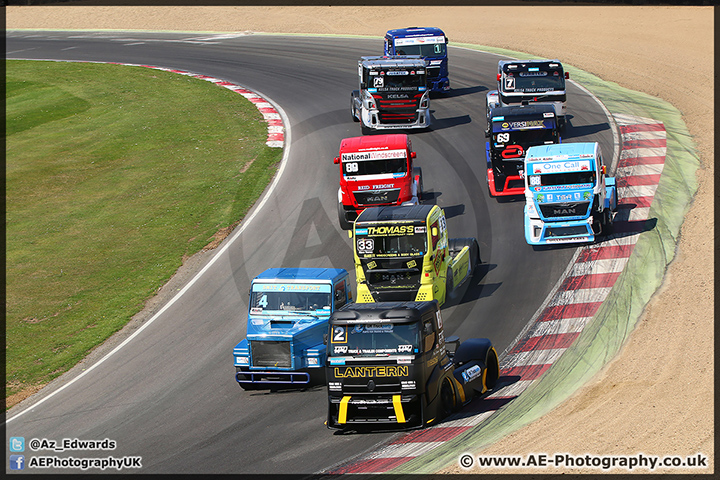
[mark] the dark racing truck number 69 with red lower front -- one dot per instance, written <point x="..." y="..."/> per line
<point x="511" y="131"/>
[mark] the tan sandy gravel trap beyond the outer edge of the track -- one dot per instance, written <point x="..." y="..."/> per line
<point x="656" y="396"/>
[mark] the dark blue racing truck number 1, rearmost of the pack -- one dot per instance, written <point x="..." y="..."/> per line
<point x="428" y="42"/>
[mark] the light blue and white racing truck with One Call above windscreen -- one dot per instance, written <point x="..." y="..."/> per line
<point x="568" y="196"/>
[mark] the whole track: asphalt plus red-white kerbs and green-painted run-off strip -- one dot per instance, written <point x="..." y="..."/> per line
<point x="169" y="394"/>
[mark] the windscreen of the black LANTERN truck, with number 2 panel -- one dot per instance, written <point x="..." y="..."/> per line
<point x="382" y="339"/>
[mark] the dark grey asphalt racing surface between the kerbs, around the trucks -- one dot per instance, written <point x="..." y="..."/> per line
<point x="169" y="395"/>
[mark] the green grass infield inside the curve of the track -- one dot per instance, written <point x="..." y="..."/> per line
<point x="113" y="175"/>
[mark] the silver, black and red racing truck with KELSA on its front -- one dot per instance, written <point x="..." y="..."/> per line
<point x="393" y="93"/>
